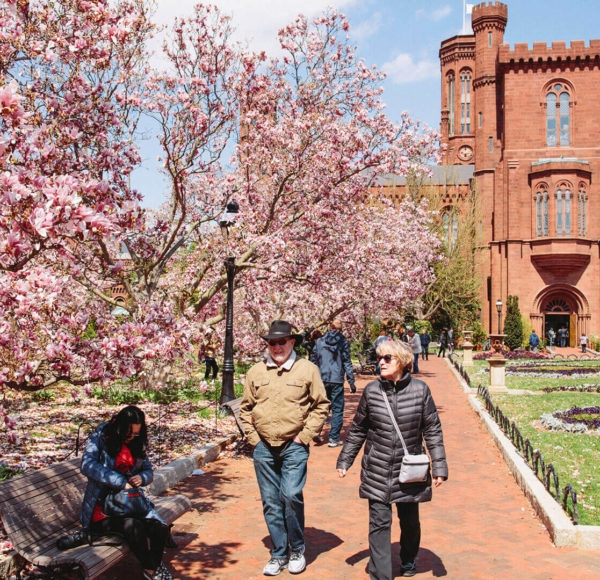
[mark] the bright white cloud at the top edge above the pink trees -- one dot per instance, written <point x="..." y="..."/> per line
<point x="256" y="21"/>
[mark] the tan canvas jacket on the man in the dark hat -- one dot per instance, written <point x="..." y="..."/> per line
<point x="279" y="404"/>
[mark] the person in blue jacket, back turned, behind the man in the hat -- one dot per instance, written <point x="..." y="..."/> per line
<point x="332" y="355"/>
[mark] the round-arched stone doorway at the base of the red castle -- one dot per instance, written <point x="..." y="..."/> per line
<point x="558" y="306"/>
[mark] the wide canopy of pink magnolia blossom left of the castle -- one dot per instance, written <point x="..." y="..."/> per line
<point x="313" y="239"/>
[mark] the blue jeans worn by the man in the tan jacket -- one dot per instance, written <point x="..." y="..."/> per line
<point x="281" y="475"/>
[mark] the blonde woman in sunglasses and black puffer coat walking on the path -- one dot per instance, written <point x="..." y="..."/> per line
<point x="416" y="415"/>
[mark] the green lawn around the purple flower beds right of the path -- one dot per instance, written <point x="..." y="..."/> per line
<point x="576" y="457"/>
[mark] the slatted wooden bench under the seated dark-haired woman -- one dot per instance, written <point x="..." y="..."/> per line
<point x="40" y="507"/>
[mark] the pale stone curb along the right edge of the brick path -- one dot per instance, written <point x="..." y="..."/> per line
<point x="561" y="528"/>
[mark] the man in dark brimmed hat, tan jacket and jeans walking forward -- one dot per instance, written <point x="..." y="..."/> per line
<point x="283" y="407"/>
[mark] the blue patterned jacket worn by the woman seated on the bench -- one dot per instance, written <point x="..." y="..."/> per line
<point x="99" y="467"/>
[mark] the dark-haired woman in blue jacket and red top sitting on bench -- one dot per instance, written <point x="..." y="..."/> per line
<point x="115" y="458"/>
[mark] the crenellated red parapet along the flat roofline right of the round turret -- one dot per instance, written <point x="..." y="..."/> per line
<point x="557" y="51"/>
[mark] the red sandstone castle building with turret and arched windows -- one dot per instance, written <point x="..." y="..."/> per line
<point x="526" y="121"/>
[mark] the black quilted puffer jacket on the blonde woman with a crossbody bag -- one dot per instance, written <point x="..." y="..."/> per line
<point x="417" y="418"/>
